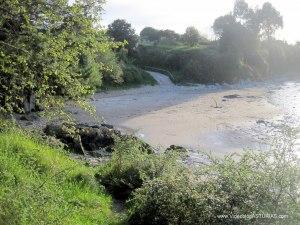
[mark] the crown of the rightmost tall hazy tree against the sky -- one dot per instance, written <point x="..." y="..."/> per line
<point x="270" y="20"/>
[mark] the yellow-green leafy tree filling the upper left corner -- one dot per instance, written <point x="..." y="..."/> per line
<point x="49" y="49"/>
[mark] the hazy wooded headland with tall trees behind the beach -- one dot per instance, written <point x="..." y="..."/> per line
<point x="245" y="49"/>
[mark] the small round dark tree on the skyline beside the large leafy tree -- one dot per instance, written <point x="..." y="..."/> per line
<point x="121" y="31"/>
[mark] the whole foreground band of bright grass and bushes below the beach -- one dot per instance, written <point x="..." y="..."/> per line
<point x="43" y="185"/>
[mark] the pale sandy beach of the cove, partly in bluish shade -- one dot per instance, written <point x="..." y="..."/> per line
<point x="198" y="117"/>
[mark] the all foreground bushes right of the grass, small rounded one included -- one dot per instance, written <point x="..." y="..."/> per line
<point x="162" y="190"/>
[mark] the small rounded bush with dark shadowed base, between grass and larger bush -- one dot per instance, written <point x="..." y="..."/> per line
<point x="130" y="165"/>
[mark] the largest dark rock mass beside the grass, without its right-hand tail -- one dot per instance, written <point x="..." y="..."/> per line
<point x="84" y="139"/>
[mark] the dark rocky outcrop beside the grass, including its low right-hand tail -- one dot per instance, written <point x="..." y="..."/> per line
<point x="91" y="140"/>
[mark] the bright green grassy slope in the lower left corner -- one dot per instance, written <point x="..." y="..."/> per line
<point x="43" y="185"/>
